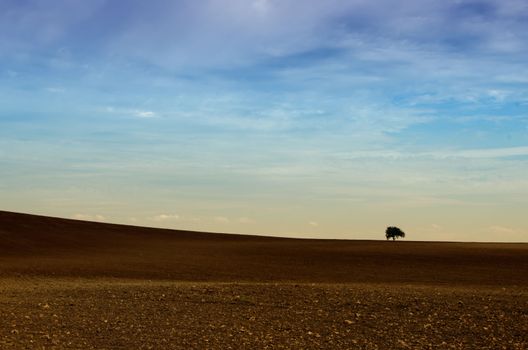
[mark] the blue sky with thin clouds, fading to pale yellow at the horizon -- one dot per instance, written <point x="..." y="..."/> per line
<point x="327" y="119"/>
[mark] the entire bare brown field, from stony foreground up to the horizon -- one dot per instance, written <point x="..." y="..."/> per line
<point x="67" y="284"/>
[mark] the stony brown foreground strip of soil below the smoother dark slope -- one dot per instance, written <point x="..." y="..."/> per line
<point x="51" y="313"/>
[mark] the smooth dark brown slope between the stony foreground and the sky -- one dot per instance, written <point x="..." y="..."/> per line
<point x="32" y="245"/>
